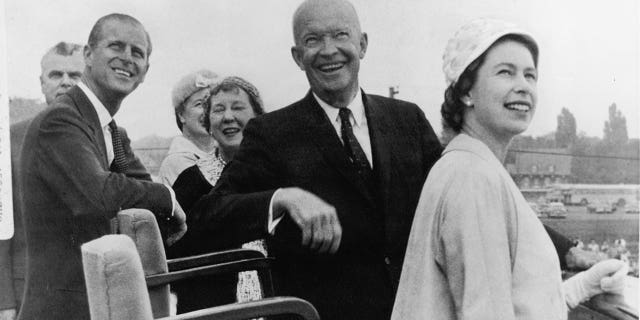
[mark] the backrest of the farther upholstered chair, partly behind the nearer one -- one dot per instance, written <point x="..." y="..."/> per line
<point x="141" y="226"/>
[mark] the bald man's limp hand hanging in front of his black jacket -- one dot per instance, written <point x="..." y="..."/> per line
<point x="318" y="220"/>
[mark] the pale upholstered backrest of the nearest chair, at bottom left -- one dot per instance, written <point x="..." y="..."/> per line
<point x="114" y="279"/>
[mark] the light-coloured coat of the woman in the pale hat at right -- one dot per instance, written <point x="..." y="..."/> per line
<point x="476" y="249"/>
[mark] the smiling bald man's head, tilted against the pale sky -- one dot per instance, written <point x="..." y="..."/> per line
<point x="328" y="48"/>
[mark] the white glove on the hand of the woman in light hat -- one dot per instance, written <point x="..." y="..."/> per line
<point x="604" y="276"/>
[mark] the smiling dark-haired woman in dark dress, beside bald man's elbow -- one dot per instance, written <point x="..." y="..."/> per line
<point x="230" y="104"/>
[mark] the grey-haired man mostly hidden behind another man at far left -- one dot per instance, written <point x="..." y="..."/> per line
<point x="61" y="68"/>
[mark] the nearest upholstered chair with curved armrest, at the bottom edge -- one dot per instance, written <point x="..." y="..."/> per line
<point x="117" y="290"/>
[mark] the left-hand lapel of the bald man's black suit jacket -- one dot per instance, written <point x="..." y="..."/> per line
<point x="326" y="139"/>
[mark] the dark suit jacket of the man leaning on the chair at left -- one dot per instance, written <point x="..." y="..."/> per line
<point x="69" y="198"/>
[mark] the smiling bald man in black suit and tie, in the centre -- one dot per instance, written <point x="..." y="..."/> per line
<point x="340" y="172"/>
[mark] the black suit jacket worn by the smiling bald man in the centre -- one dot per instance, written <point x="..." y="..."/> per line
<point x="298" y="146"/>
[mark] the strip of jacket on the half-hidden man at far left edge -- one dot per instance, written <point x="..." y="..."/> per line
<point x="13" y="251"/>
